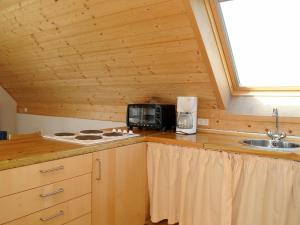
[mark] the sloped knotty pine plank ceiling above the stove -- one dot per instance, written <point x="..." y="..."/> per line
<point x="90" y="58"/>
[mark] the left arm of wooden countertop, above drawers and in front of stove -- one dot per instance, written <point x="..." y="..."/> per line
<point x="23" y="152"/>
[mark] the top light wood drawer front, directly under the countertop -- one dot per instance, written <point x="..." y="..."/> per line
<point x="28" y="177"/>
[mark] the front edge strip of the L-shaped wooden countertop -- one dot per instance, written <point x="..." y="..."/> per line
<point x="49" y="156"/>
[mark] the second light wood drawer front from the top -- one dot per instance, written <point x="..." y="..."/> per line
<point x="24" y="203"/>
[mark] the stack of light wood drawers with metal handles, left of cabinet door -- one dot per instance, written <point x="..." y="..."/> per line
<point x="55" y="192"/>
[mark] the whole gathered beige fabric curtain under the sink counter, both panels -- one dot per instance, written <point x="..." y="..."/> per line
<point x="202" y="187"/>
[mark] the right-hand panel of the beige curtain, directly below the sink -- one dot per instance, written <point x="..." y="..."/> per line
<point x="267" y="191"/>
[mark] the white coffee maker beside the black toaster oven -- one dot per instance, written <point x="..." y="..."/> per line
<point x="186" y="115"/>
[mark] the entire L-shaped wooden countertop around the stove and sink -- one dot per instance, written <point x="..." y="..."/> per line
<point x="27" y="151"/>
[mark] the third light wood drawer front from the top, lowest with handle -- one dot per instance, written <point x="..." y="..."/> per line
<point x="59" y="214"/>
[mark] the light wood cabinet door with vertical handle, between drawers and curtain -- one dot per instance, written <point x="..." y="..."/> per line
<point x="119" y="195"/>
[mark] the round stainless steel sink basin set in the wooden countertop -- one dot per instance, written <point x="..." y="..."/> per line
<point x="271" y="145"/>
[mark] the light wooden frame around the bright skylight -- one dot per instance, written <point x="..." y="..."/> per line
<point x="219" y="29"/>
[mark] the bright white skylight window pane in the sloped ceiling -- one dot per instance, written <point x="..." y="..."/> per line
<point x="263" y="40"/>
